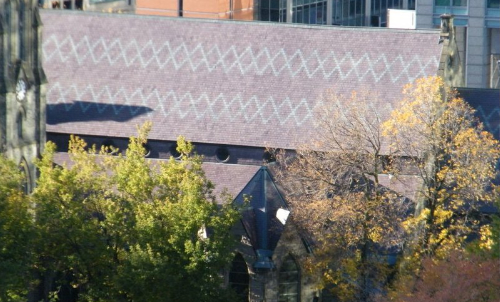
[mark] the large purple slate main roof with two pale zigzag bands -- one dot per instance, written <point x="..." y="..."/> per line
<point x="235" y="83"/>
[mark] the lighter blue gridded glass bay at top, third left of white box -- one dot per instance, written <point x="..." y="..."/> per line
<point x="309" y="11"/>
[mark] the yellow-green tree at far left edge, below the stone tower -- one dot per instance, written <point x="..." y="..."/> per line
<point x="16" y="234"/>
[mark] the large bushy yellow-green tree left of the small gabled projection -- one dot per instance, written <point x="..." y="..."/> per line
<point x="121" y="228"/>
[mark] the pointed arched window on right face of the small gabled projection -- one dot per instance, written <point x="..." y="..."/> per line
<point x="288" y="281"/>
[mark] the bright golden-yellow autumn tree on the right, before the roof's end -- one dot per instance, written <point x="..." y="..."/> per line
<point x="455" y="160"/>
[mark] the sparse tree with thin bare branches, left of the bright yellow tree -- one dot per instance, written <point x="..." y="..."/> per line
<point x="337" y="197"/>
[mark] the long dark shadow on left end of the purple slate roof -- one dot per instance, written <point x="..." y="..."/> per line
<point x="81" y="111"/>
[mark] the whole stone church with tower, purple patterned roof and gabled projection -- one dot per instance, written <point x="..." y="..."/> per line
<point x="232" y="88"/>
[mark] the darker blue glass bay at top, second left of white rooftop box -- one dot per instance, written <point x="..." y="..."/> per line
<point x="348" y="12"/>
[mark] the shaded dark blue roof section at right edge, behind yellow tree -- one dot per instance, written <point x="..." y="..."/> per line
<point x="487" y="104"/>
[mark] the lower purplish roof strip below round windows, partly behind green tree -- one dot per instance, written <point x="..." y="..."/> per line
<point x="226" y="177"/>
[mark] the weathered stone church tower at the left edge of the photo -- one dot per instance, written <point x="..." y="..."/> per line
<point x="22" y="85"/>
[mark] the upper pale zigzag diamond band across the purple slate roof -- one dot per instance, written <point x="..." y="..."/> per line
<point x="245" y="61"/>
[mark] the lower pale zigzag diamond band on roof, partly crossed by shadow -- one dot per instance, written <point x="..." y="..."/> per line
<point x="187" y="105"/>
